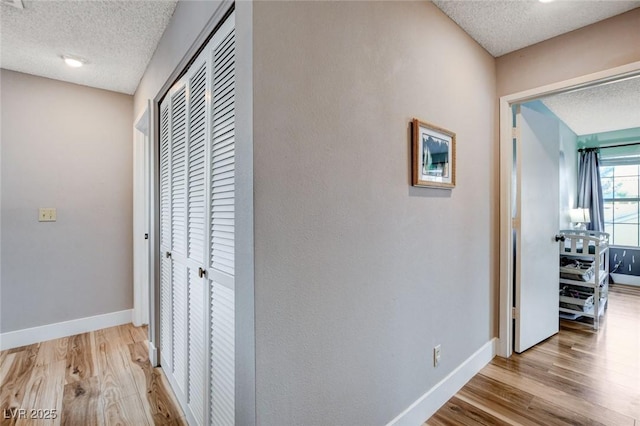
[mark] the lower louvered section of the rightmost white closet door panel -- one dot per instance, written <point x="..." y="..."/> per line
<point x="222" y="355"/>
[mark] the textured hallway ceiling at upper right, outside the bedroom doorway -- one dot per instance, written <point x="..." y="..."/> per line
<point x="504" y="26"/>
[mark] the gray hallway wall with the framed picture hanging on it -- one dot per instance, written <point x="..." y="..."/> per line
<point x="358" y="275"/>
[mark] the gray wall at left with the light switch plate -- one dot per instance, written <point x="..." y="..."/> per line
<point x="69" y="147"/>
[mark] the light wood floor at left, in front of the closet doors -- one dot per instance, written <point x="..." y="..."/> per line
<point x="98" y="378"/>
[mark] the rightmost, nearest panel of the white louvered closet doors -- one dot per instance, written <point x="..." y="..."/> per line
<point x="222" y="240"/>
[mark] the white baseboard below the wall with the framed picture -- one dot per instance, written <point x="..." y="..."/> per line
<point x="437" y="396"/>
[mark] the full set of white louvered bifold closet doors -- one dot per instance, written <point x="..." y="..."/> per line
<point x="197" y="234"/>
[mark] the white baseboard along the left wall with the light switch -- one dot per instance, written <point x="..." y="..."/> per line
<point x="28" y="336"/>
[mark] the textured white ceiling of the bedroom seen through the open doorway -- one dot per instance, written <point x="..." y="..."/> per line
<point x="613" y="106"/>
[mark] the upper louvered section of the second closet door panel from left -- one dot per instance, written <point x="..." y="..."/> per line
<point x="178" y="170"/>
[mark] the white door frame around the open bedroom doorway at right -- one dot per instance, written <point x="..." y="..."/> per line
<point x="505" y="336"/>
